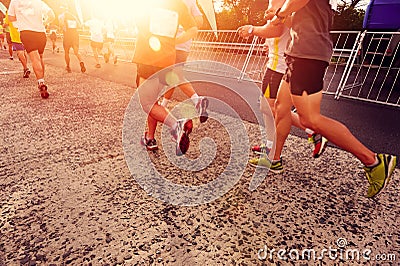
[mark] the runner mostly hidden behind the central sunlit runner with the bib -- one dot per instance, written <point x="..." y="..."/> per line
<point x="182" y="53"/>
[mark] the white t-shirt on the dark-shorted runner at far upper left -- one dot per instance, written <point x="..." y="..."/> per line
<point x="29" y="14"/>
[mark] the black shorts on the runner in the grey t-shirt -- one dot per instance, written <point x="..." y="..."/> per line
<point x="305" y="75"/>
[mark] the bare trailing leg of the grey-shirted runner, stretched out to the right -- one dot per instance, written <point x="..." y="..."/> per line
<point x="308" y="108"/>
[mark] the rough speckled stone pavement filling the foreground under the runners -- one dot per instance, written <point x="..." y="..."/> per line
<point x="67" y="196"/>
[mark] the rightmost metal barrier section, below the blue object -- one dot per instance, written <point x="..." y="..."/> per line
<point x="376" y="77"/>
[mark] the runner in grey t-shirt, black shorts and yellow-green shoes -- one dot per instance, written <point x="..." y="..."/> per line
<point x="302" y="87"/>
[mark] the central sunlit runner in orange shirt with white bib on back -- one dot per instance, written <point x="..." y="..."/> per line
<point x="157" y="25"/>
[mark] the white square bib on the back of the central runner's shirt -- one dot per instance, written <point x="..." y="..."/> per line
<point x="164" y="23"/>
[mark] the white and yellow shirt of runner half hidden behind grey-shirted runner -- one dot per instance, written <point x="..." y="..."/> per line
<point x="276" y="51"/>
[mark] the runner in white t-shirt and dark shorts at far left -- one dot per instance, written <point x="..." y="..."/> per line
<point x="31" y="24"/>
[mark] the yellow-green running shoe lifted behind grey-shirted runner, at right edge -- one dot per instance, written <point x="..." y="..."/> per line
<point x="379" y="175"/>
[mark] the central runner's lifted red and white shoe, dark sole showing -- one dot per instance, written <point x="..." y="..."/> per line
<point x="181" y="135"/>
